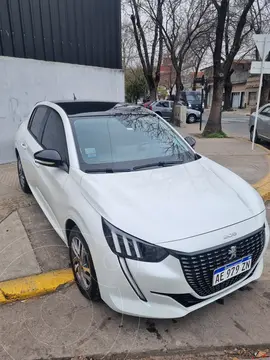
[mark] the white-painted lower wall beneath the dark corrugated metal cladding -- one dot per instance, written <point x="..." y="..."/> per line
<point x="24" y="82"/>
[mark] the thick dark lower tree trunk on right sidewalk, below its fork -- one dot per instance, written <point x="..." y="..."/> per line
<point x="214" y="121"/>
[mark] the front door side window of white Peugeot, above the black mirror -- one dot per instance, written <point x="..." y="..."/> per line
<point x="54" y="137"/>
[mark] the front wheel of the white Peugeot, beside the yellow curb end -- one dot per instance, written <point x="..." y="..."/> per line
<point x="82" y="265"/>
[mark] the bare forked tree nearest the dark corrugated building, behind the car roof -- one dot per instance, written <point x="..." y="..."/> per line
<point x="146" y="32"/>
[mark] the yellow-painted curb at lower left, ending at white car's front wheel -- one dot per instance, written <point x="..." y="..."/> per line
<point x="33" y="286"/>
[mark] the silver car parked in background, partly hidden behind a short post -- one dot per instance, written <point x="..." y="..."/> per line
<point x="164" y="108"/>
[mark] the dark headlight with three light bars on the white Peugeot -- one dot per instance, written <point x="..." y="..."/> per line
<point x="127" y="246"/>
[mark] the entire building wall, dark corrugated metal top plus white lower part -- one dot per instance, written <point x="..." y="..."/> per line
<point x="56" y="50"/>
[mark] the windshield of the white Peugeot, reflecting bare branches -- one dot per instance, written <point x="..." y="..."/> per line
<point x="120" y="142"/>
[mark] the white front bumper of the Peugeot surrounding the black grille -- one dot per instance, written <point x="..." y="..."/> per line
<point x="157" y="290"/>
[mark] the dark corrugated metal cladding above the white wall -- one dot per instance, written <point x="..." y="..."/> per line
<point x="68" y="31"/>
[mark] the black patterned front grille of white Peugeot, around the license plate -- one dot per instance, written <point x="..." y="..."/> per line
<point x="198" y="268"/>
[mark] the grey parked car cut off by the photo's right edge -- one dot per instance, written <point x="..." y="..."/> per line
<point x="263" y="124"/>
